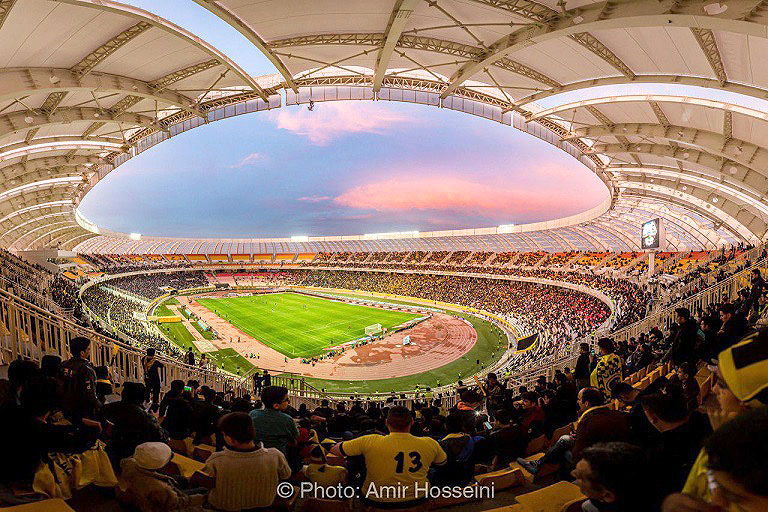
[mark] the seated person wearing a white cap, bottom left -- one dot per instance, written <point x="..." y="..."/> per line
<point x="141" y="484"/>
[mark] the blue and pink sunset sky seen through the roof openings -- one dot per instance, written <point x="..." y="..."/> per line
<point x="344" y="168"/>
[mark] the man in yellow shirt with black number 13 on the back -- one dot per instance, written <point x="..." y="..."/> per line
<point x="396" y="464"/>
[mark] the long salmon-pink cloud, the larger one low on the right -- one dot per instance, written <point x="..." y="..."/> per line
<point x="439" y="192"/>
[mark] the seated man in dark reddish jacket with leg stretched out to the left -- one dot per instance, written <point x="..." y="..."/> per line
<point x="597" y="424"/>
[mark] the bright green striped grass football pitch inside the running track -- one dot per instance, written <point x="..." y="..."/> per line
<point x="298" y="325"/>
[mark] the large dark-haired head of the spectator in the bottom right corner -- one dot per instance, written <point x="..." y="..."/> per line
<point x="734" y="461"/>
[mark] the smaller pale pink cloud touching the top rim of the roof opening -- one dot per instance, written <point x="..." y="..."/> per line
<point x="329" y="121"/>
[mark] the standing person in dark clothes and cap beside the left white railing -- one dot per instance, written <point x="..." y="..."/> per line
<point x="79" y="383"/>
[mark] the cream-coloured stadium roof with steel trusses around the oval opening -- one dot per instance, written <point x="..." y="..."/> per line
<point x="85" y="85"/>
